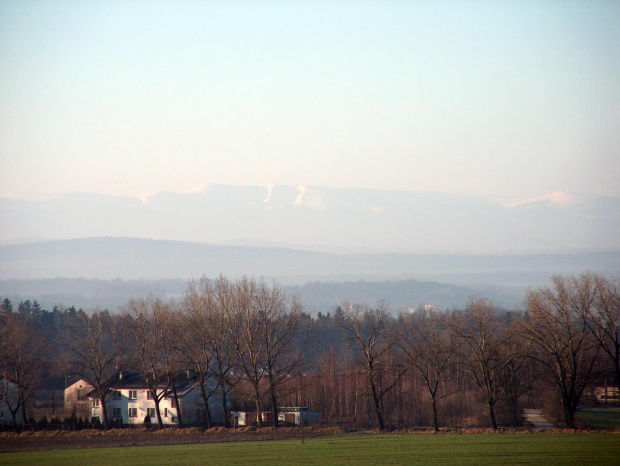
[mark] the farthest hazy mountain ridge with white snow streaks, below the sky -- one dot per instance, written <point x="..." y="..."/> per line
<point x="326" y="219"/>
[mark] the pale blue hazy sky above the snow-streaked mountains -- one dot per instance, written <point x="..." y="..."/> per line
<point x="490" y="98"/>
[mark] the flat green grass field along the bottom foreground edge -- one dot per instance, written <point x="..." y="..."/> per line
<point x="540" y="448"/>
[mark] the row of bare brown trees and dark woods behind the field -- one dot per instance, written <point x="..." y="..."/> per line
<point x="250" y="346"/>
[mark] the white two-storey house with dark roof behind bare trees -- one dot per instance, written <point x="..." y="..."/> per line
<point x="130" y="402"/>
